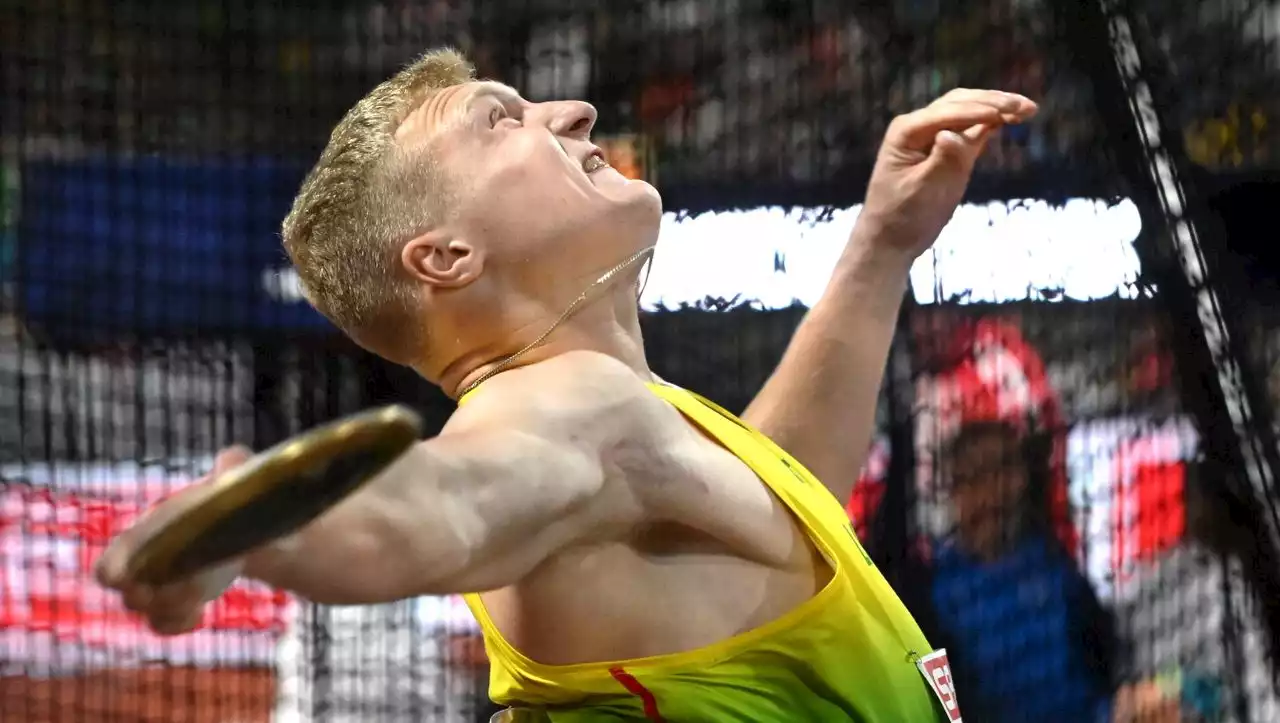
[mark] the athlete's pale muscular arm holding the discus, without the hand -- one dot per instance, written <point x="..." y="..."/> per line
<point x="469" y="511"/>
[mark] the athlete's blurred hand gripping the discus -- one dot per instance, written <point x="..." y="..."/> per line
<point x="177" y="608"/>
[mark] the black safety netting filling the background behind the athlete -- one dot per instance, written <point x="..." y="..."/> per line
<point x="1058" y="487"/>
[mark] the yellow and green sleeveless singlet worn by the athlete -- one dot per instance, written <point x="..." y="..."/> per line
<point x="844" y="656"/>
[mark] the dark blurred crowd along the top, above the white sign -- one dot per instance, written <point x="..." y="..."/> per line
<point x="767" y="89"/>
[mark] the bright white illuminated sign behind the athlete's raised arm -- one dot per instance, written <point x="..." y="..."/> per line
<point x="775" y="259"/>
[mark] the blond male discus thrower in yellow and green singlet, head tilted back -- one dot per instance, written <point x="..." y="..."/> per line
<point x="630" y="551"/>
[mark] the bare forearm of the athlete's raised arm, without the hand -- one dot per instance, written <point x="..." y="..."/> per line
<point x="820" y="405"/>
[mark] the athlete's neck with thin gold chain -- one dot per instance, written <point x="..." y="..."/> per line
<point x="609" y="326"/>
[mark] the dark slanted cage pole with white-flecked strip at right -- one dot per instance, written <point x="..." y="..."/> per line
<point x="1130" y="84"/>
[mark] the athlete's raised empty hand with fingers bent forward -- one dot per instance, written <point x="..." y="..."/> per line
<point x="925" y="164"/>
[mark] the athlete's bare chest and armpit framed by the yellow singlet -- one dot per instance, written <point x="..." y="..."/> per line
<point x="716" y="553"/>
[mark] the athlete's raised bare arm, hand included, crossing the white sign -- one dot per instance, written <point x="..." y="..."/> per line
<point x="820" y="404"/>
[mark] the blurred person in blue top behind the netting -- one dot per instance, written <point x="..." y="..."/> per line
<point x="1026" y="634"/>
